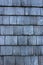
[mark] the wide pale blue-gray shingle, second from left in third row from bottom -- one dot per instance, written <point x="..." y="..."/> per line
<point x="11" y="40"/>
